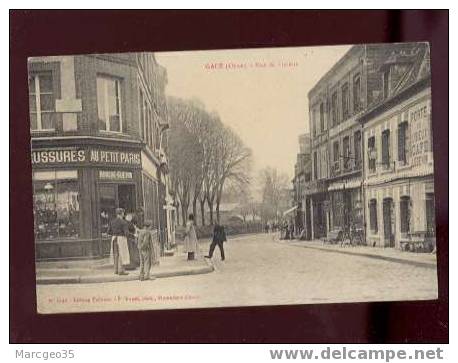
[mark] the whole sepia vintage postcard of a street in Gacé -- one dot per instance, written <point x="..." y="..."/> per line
<point x="204" y="179"/>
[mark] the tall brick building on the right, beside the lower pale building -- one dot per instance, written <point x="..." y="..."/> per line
<point x="351" y="87"/>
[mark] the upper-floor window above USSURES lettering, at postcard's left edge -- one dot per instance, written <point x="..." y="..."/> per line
<point x="42" y="101"/>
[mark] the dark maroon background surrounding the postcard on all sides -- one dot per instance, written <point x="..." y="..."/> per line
<point x="51" y="32"/>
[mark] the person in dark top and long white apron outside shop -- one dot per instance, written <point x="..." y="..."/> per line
<point x="119" y="251"/>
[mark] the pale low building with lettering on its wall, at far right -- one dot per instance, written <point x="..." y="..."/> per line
<point x="399" y="167"/>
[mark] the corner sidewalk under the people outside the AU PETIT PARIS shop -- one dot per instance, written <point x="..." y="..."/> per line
<point x="73" y="272"/>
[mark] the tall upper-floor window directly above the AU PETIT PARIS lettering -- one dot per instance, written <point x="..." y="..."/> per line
<point x="109" y="104"/>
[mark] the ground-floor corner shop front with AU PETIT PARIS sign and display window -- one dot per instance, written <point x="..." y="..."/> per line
<point x="76" y="190"/>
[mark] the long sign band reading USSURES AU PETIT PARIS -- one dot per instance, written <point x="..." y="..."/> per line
<point x="86" y="156"/>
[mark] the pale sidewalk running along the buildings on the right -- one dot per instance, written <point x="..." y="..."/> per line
<point x="427" y="260"/>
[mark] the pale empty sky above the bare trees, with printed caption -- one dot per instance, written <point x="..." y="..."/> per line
<point x="260" y="93"/>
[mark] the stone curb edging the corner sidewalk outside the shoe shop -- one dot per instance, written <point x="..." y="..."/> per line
<point x="117" y="278"/>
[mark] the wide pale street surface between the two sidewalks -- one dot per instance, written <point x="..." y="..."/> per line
<point x="258" y="271"/>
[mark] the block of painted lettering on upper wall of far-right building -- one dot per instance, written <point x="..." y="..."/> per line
<point x="420" y="124"/>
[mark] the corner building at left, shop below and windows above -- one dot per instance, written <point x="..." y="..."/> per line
<point x="98" y="137"/>
